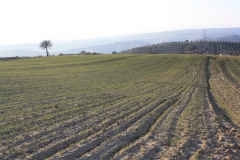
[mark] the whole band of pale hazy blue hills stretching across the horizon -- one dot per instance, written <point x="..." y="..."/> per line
<point x="98" y="44"/>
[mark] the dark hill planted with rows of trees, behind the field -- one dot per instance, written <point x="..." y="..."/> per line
<point x="190" y="47"/>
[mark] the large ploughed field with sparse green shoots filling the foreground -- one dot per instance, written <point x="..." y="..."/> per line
<point x="120" y="107"/>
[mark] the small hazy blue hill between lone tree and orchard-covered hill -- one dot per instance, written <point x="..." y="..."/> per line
<point x="109" y="48"/>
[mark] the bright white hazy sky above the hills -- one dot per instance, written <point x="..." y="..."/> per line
<point x="29" y="21"/>
